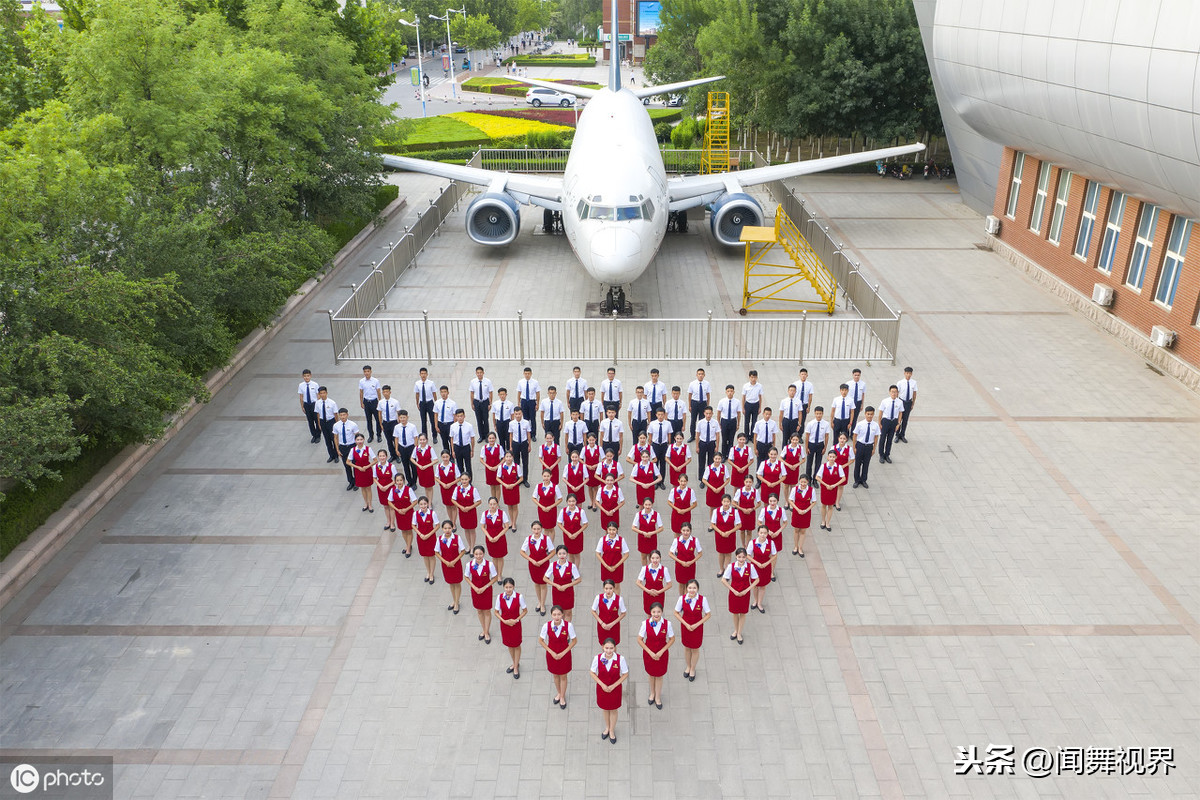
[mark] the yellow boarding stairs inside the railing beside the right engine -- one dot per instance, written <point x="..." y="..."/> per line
<point x="770" y="274"/>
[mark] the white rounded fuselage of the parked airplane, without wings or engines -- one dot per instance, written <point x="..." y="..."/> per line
<point x="615" y="189"/>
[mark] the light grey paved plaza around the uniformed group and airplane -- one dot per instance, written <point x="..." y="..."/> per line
<point x="1025" y="575"/>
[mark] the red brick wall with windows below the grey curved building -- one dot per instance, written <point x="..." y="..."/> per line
<point x="1133" y="306"/>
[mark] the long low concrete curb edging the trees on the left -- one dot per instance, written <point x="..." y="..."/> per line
<point x="23" y="564"/>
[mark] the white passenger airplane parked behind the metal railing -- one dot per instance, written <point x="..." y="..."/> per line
<point x="615" y="195"/>
